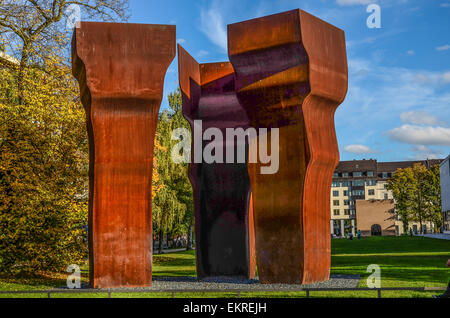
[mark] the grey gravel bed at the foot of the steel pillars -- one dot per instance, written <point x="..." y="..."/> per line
<point x="191" y="283"/>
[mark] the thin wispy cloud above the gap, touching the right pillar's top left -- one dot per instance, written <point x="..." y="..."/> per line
<point x="211" y="24"/>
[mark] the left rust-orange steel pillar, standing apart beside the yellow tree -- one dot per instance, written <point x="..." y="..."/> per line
<point x="121" y="69"/>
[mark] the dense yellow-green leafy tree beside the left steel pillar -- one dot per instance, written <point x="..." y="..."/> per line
<point x="43" y="171"/>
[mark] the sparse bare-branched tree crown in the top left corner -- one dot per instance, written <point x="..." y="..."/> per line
<point x="31" y="29"/>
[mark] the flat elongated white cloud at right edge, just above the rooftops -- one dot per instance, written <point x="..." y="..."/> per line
<point x="420" y="135"/>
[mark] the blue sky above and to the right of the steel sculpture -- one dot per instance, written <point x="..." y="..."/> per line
<point x="398" y="102"/>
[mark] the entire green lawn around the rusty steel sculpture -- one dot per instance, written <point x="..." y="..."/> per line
<point x="404" y="262"/>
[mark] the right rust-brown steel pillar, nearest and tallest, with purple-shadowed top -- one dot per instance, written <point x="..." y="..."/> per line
<point x="291" y="73"/>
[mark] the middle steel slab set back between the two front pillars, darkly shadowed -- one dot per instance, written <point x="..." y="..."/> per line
<point x="222" y="196"/>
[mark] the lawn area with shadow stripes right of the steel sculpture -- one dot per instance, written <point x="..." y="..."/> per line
<point x="404" y="261"/>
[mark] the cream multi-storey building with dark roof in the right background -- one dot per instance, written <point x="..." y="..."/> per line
<point x="362" y="180"/>
